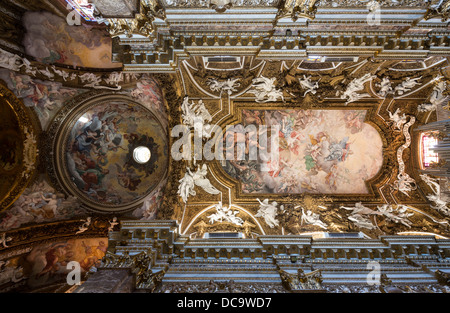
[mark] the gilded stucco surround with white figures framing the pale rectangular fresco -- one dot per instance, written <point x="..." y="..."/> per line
<point x="392" y="200"/>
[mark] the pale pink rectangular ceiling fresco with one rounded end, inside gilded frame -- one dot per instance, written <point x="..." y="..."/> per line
<point x="320" y="151"/>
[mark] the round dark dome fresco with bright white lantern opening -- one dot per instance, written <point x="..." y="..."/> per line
<point x="100" y="149"/>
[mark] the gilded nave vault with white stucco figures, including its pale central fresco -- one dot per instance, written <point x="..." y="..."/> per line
<point x="317" y="114"/>
